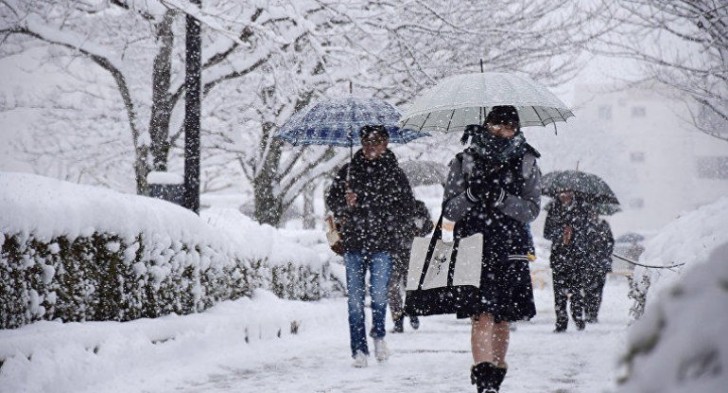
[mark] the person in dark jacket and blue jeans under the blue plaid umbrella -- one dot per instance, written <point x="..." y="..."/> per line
<point x="371" y="199"/>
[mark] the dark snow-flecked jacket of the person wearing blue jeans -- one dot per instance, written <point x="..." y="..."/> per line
<point x="383" y="214"/>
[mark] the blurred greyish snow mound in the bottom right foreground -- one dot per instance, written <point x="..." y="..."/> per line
<point x="679" y="344"/>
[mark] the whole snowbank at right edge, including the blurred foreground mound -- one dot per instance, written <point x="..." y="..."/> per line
<point x="679" y="344"/>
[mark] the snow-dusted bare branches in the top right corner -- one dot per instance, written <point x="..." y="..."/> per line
<point x="682" y="44"/>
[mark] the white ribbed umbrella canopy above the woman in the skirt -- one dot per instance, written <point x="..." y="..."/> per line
<point x="461" y="100"/>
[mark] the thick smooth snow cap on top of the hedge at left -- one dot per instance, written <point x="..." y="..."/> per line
<point x="48" y="208"/>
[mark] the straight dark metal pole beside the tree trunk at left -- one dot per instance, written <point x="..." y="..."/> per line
<point x="193" y="65"/>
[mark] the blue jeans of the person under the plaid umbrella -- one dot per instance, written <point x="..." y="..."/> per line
<point x="379" y="265"/>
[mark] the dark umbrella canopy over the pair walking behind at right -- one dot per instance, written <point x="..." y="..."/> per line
<point x="590" y="185"/>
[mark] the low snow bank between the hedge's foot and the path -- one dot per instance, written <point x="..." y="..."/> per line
<point x="95" y="356"/>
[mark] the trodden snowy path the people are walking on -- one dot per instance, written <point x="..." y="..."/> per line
<point x="436" y="358"/>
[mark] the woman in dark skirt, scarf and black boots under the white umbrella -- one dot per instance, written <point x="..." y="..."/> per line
<point x="493" y="188"/>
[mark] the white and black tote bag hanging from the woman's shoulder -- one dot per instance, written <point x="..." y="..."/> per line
<point x="443" y="277"/>
